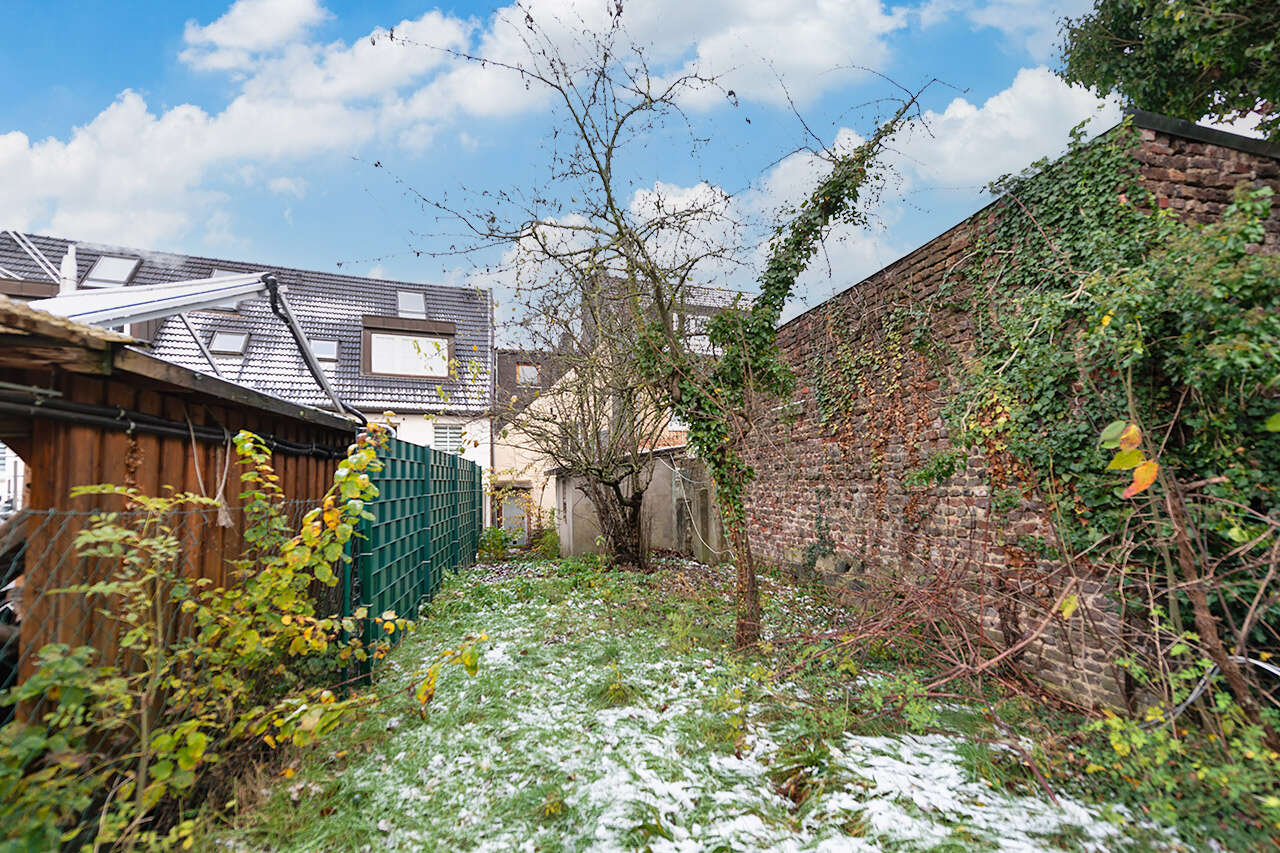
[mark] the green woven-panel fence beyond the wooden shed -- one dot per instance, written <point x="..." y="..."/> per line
<point x="428" y="519"/>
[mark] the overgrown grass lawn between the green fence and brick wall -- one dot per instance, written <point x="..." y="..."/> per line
<point x="610" y="714"/>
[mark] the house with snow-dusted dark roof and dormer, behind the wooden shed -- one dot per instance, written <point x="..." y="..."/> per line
<point x="415" y="357"/>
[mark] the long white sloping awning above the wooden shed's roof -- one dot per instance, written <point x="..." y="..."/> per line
<point x="120" y="305"/>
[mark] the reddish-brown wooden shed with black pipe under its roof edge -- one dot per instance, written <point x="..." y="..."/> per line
<point x="81" y="405"/>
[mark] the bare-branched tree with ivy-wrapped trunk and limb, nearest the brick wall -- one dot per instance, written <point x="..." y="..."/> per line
<point x="591" y="222"/>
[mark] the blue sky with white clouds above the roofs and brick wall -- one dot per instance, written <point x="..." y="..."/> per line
<point x="250" y="130"/>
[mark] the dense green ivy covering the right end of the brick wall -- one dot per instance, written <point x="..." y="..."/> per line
<point x="1124" y="378"/>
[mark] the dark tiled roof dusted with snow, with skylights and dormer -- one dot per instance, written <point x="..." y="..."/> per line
<point x="328" y="307"/>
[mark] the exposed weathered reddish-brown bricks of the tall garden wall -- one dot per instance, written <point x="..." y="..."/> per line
<point x="838" y="489"/>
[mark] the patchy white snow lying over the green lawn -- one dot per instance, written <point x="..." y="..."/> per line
<point x="527" y="732"/>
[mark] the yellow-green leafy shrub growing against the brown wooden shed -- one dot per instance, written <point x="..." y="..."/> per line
<point x="121" y="749"/>
